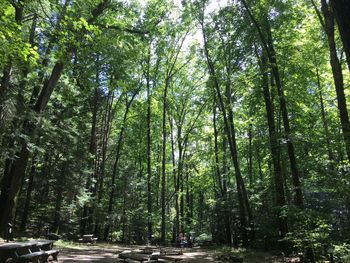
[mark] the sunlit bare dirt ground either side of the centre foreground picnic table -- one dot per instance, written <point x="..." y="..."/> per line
<point x="109" y="253"/>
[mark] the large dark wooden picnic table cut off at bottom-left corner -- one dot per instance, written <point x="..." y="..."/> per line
<point x="31" y="251"/>
